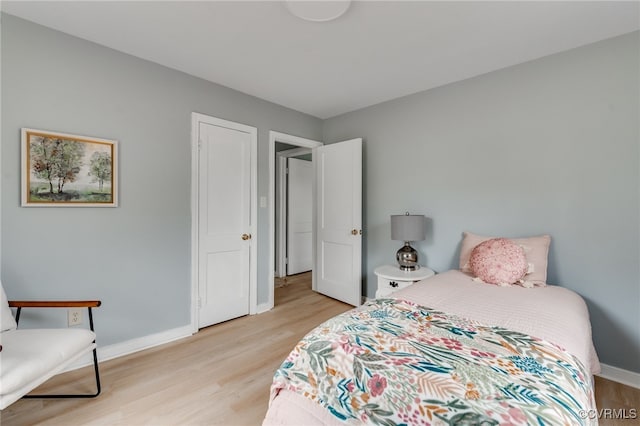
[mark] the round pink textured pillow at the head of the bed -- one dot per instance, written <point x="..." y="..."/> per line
<point x="499" y="261"/>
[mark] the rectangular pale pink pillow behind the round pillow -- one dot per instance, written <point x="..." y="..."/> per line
<point x="536" y="249"/>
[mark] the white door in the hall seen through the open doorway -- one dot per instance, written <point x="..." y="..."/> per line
<point x="299" y="216"/>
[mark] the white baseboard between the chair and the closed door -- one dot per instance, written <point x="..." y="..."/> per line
<point x="116" y="350"/>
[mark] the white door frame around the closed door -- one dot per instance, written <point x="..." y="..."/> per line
<point x="196" y="119"/>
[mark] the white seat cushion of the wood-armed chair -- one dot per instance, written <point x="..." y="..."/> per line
<point x="31" y="356"/>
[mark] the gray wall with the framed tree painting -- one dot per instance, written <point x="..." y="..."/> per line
<point x="136" y="257"/>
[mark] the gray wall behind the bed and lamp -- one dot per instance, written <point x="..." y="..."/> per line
<point x="549" y="146"/>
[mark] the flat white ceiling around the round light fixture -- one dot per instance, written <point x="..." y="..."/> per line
<point x="377" y="51"/>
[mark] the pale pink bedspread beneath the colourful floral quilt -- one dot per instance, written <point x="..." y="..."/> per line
<point x="550" y="313"/>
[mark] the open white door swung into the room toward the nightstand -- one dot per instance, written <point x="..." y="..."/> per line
<point x="338" y="221"/>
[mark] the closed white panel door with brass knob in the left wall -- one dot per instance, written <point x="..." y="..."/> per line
<point x="226" y="219"/>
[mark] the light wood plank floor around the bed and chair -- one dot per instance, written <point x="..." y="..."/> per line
<point x="219" y="376"/>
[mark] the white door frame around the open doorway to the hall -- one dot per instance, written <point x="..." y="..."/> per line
<point x="291" y="140"/>
